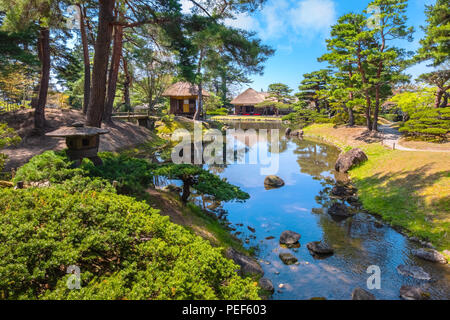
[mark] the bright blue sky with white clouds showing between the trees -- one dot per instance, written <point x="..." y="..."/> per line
<point x="297" y="31"/>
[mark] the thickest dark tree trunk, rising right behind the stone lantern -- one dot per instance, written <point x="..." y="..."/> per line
<point x="100" y="67"/>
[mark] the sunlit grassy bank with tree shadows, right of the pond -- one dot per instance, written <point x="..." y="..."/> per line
<point x="410" y="190"/>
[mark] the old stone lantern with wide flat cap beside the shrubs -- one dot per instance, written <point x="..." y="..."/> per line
<point x="82" y="142"/>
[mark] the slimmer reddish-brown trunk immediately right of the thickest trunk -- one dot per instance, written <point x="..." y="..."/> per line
<point x="113" y="72"/>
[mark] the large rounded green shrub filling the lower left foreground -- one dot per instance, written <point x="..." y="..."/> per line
<point x="125" y="250"/>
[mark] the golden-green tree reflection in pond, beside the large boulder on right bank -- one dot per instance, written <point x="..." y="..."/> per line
<point x="315" y="158"/>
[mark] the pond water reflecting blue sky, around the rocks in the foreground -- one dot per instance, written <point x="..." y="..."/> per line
<point x="358" y="242"/>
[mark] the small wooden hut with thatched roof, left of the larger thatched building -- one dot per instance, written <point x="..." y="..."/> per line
<point x="183" y="98"/>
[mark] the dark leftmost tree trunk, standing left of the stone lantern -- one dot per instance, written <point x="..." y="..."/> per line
<point x="44" y="56"/>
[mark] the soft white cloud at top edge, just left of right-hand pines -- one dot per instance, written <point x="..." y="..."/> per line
<point x="312" y="17"/>
